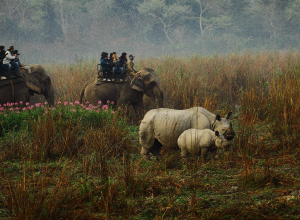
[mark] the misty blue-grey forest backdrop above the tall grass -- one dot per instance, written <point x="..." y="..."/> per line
<point x="70" y="30"/>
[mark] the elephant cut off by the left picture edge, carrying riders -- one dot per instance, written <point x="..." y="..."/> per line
<point x="35" y="80"/>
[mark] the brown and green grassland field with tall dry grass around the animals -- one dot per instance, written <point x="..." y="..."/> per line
<point x="75" y="161"/>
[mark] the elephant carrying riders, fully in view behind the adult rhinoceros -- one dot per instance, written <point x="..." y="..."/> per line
<point x="129" y="92"/>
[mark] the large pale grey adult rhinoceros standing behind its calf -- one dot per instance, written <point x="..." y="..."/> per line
<point x="162" y="127"/>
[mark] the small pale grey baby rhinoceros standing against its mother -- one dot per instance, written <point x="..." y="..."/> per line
<point x="196" y="142"/>
